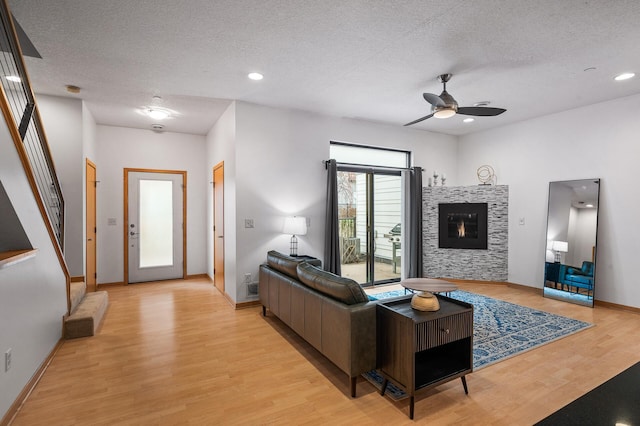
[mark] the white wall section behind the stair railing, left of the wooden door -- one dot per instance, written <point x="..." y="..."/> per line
<point x="62" y="119"/>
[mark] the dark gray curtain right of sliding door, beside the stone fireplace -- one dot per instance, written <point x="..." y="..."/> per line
<point x="415" y="223"/>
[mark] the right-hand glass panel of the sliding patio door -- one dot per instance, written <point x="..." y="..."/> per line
<point x="387" y="226"/>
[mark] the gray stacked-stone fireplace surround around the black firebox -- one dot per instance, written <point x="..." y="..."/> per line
<point x="467" y="264"/>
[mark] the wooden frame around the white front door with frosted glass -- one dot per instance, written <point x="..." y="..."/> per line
<point x="125" y="222"/>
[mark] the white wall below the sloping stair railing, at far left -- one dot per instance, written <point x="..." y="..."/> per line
<point x="33" y="295"/>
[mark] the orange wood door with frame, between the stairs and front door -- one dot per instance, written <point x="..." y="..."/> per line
<point x="91" y="219"/>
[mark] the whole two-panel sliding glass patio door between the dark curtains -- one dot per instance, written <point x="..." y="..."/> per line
<point x="370" y="216"/>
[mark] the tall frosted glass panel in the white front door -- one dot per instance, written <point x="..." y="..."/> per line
<point x="156" y="223"/>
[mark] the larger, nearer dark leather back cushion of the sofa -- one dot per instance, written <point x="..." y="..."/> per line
<point x="342" y="289"/>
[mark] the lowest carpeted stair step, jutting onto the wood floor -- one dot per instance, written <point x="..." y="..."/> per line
<point x="86" y="319"/>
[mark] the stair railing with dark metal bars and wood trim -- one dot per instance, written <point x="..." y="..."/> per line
<point x="20" y="111"/>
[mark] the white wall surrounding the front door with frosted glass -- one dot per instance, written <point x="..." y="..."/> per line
<point x="119" y="148"/>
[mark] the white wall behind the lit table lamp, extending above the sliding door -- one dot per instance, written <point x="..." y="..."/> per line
<point x="279" y="172"/>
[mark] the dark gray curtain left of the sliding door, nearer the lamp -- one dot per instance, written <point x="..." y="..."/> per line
<point x="331" y="226"/>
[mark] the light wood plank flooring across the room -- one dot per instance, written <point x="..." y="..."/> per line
<point x="176" y="352"/>
